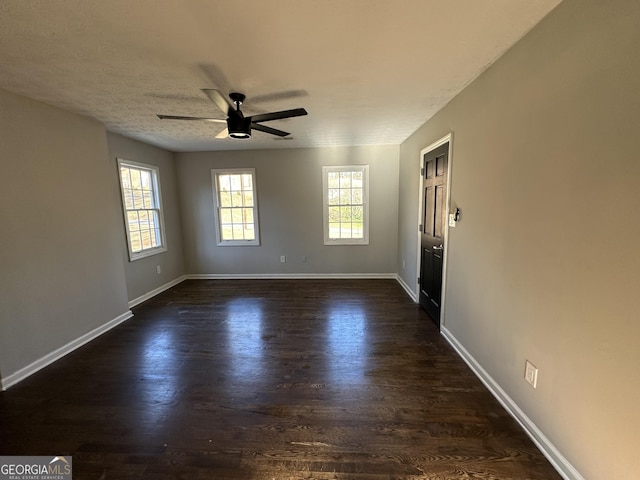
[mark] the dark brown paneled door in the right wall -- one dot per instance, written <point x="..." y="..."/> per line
<point x="434" y="184"/>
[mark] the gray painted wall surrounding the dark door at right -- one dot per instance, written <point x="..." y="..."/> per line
<point x="544" y="263"/>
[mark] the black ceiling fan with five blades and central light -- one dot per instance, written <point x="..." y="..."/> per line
<point x="239" y="126"/>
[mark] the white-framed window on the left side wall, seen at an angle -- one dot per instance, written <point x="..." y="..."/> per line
<point x="140" y="187"/>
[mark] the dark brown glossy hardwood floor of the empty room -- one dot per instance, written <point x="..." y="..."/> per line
<point x="269" y="379"/>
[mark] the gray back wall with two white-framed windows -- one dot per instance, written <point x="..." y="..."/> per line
<point x="289" y="186"/>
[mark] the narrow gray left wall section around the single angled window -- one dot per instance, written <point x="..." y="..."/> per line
<point x="141" y="275"/>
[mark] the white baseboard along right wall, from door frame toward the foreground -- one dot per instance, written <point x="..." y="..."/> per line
<point x="549" y="450"/>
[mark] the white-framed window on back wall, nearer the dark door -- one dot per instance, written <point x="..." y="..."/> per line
<point x="346" y="212"/>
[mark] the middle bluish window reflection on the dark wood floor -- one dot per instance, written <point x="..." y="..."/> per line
<point x="244" y="338"/>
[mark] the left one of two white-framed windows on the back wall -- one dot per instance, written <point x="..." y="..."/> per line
<point x="236" y="206"/>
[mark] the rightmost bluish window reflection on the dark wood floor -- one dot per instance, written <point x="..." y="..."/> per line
<point x="347" y="342"/>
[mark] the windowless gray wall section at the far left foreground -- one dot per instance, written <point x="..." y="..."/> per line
<point x="61" y="269"/>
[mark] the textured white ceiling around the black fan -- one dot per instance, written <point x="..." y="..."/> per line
<point x="367" y="71"/>
